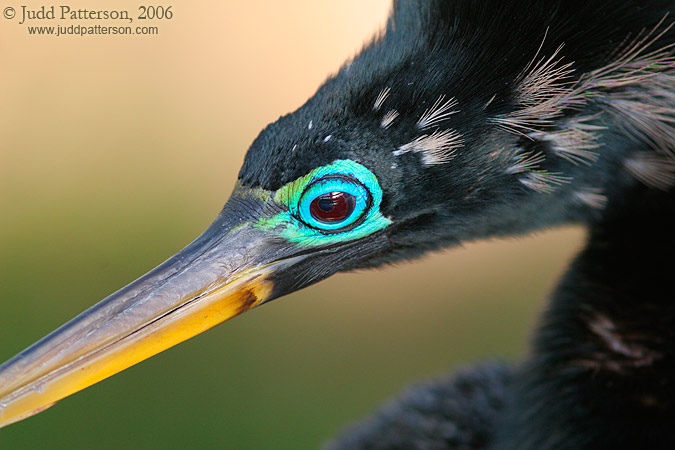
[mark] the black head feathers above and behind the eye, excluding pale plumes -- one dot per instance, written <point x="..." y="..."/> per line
<point x="472" y="52"/>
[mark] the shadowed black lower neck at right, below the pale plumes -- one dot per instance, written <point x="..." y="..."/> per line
<point x="602" y="369"/>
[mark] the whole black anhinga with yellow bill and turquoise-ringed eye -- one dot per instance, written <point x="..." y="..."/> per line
<point x="465" y="119"/>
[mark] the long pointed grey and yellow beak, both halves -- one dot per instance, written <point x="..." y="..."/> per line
<point x="223" y="273"/>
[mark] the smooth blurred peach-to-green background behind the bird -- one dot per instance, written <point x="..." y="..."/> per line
<point x="116" y="151"/>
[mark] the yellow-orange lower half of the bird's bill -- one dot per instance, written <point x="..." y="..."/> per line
<point x="199" y="313"/>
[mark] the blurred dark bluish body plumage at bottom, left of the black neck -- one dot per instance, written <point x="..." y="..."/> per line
<point x="458" y="413"/>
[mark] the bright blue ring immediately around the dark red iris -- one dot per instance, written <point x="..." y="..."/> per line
<point x="359" y="197"/>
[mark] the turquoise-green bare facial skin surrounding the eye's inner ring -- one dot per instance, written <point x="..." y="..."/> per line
<point x="288" y="225"/>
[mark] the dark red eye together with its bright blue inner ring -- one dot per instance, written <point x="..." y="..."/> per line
<point x="333" y="203"/>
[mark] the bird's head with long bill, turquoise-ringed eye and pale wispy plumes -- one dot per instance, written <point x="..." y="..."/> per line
<point x="441" y="131"/>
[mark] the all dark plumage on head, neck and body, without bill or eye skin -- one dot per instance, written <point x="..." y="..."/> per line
<point x="601" y="373"/>
